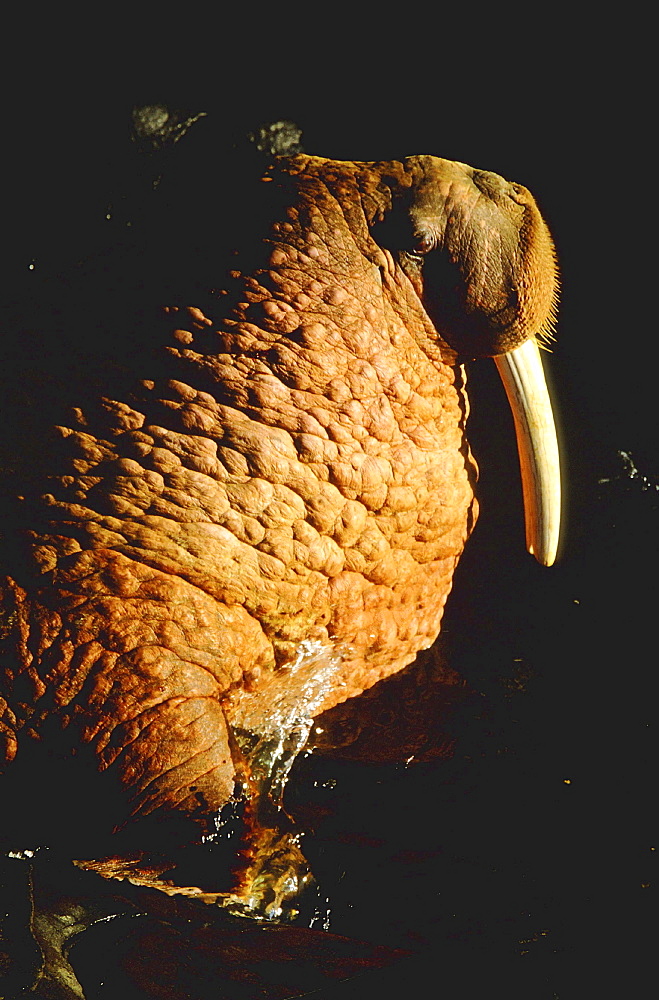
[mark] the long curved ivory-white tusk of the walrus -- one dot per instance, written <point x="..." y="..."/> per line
<point x="524" y="381"/>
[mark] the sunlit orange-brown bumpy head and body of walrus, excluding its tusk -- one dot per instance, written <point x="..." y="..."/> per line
<point x="297" y="470"/>
